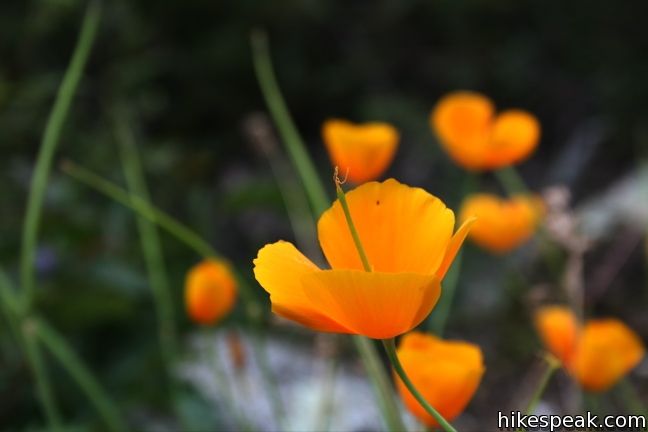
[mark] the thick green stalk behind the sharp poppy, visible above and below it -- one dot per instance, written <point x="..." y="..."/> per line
<point x="319" y="202"/>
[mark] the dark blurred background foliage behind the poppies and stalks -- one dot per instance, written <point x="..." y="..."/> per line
<point x="183" y="70"/>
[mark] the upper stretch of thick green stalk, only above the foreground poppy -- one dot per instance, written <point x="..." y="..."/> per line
<point x="283" y="120"/>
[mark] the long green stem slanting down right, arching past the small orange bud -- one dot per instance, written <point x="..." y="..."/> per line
<point x="191" y="239"/>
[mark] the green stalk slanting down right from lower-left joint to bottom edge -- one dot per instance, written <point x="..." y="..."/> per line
<point x="56" y="344"/>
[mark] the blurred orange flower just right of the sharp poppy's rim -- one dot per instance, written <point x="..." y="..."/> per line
<point x="502" y="224"/>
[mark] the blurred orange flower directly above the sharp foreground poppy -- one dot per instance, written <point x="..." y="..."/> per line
<point x="364" y="150"/>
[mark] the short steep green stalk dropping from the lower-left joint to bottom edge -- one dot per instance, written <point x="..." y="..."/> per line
<point x="39" y="368"/>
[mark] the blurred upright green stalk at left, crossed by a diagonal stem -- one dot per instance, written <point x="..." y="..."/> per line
<point x="150" y="243"/>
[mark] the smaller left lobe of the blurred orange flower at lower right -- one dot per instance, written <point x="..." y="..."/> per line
<point x="559" y="331"/>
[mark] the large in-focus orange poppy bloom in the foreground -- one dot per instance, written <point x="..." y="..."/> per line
<point x="407" y="236"/>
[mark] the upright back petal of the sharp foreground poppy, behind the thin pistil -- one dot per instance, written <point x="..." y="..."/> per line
<point x="402" y="229"/>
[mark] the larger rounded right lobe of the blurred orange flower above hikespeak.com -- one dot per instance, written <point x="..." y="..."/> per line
<point x="607" y="350"/>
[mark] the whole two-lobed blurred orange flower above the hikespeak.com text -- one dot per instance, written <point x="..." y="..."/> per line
<point x="598" y="355"/>
